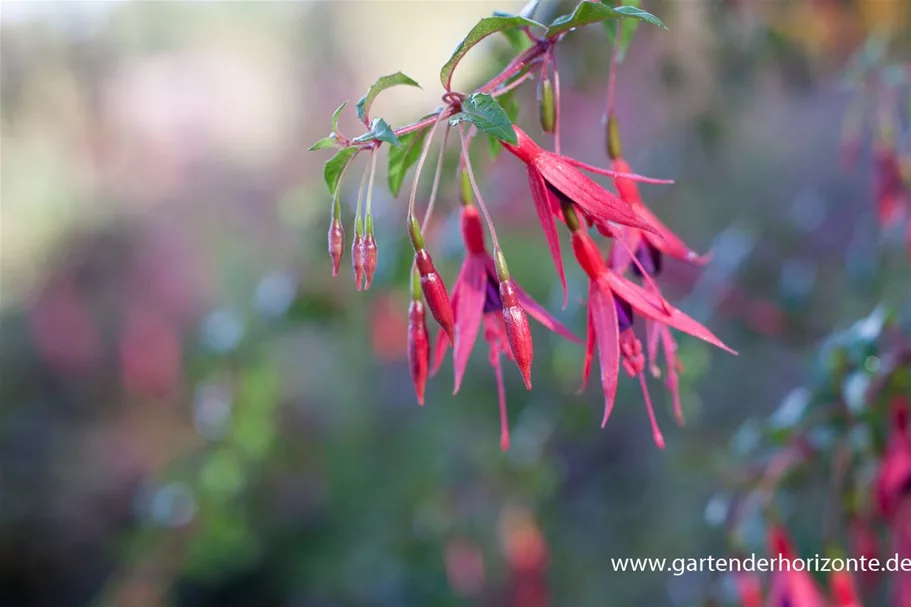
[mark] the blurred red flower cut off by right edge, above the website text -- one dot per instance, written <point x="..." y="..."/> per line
<point x="894" y="478"/>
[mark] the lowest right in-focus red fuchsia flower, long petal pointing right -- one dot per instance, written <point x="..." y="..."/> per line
<point x="612" y="301"/>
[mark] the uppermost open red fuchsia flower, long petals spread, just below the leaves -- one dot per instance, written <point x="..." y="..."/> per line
<point x="553" y="177"/>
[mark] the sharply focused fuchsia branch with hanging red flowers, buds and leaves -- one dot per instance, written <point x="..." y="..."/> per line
<point x="621" y="277"/>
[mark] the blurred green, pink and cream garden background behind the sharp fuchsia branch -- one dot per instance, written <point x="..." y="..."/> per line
<point x="195" y="413"/>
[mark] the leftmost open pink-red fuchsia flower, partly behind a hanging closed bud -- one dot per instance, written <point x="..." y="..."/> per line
<point x="480" y="295"/>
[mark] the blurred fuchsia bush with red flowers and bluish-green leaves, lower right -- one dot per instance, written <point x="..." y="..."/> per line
<point x="850" y="428"/>
